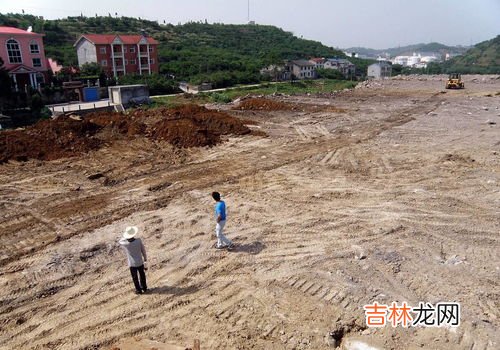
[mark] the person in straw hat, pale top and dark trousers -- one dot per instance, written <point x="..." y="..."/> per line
<point x="134" y="248"/>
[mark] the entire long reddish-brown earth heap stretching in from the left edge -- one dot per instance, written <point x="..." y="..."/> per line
<point x="68" y="136"/>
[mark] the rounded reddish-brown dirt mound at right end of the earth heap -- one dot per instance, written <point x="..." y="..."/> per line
<point x="194" y="126"/>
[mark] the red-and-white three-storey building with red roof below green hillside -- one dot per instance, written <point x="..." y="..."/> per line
<point x="119" y="54"/>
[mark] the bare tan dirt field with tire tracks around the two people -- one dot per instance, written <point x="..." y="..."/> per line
<point x="389" y="192"/>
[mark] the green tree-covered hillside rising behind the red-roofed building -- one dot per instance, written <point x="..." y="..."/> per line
<point x="224" y="53"/>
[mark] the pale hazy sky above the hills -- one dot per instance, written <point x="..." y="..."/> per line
<point x="339" y="23"/>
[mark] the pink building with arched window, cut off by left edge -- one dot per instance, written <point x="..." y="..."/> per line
<point x="24" y="57"/>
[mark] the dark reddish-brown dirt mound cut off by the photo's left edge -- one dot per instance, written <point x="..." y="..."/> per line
<point x="49" y="140"/>
